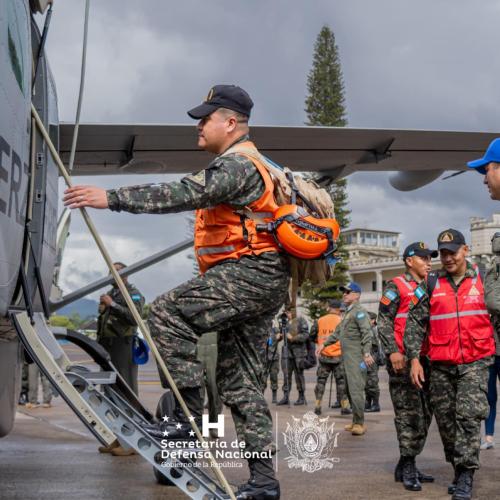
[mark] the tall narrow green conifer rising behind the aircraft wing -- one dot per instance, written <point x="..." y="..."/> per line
<point x="325" y="106"/>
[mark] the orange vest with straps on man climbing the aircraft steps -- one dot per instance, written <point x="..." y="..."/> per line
<point x="223" y="232"/>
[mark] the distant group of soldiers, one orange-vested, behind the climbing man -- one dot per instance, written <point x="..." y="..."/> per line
<point x="362" y="391"/>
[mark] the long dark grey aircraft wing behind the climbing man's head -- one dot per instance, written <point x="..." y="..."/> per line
<point x="331" y="152"/>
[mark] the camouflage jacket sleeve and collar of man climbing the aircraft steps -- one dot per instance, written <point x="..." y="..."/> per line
<point x="231" y="179"/>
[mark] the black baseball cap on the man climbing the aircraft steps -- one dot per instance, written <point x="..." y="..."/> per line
<point x="223" y="96"/>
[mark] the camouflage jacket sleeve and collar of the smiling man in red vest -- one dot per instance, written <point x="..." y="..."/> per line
<point x="417" y="324"/>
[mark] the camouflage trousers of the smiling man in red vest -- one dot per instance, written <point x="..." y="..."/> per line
<point x="459" y="399"/>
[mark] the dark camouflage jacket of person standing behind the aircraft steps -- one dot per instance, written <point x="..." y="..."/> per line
<point x="116" y="320"/>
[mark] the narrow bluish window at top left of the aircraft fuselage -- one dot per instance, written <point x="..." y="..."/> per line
<point x="17" y="35"/>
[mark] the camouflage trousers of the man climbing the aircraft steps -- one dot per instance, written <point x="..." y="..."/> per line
<point x="238" y="299"/>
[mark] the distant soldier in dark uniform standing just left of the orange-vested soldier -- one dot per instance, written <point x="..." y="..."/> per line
<point x="293" y="356"/>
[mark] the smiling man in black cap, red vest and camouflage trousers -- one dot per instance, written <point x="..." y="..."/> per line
<point x="461" y="345"/>
